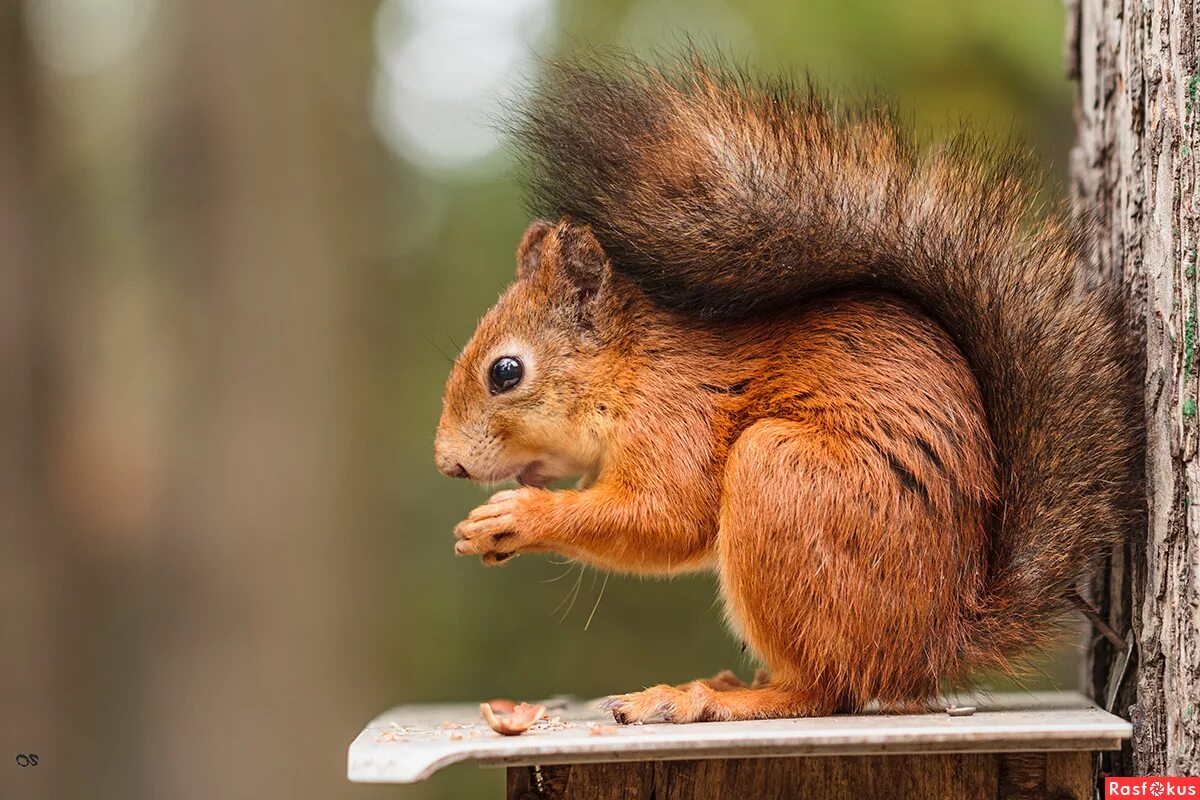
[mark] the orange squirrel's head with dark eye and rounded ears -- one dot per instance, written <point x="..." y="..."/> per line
<point x="524" y="400"/>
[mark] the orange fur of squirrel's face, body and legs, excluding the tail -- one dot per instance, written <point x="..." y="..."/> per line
<point x="832" y="464"/>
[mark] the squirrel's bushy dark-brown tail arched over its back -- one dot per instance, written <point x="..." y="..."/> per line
<point x="724" y="197"/>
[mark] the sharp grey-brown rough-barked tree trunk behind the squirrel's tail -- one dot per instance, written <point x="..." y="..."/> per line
<point x="1135" y="167"/>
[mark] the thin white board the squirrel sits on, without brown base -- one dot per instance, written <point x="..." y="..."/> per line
<point x="411" y="743"/>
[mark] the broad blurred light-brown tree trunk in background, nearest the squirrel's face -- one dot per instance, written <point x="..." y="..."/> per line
<point x="257" y="682"/>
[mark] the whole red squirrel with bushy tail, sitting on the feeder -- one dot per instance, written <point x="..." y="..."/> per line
<point x="862" y="382"/>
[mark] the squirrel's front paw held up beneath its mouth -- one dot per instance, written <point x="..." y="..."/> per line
<point x="502" y="527"/>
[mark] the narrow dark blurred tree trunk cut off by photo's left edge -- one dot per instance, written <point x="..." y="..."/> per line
<point x="29" y="573"/>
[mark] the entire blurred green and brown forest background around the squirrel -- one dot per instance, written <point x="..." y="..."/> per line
<point x="238" y="243"/>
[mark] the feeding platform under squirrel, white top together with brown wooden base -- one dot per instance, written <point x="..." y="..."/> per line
<point x="1025" y="745"/>
